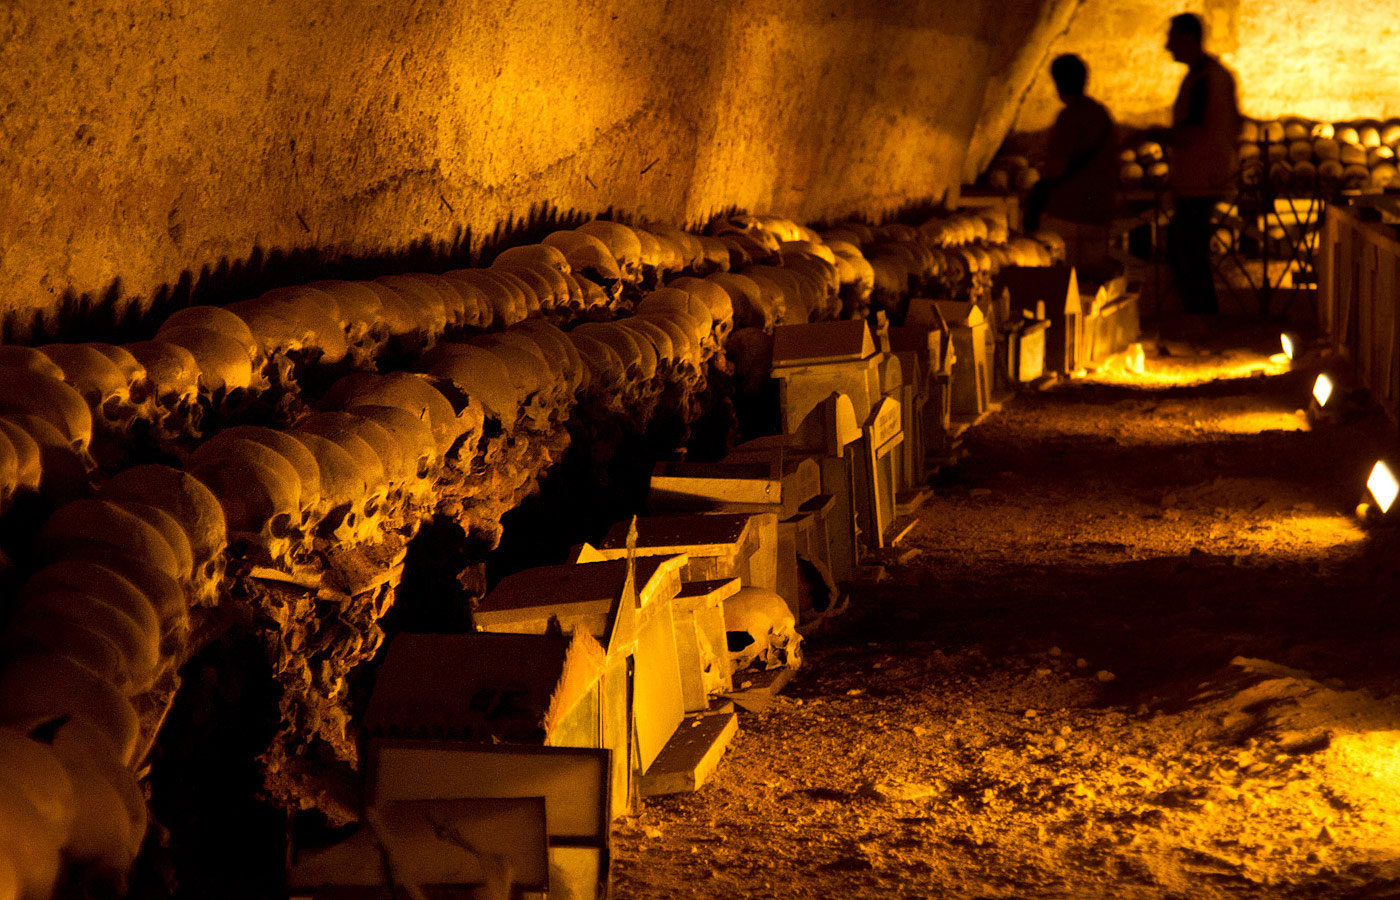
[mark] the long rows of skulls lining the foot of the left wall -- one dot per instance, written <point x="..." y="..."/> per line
<point x="108" y="614"/>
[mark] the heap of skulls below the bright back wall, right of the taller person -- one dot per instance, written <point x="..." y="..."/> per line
<point x="1303" y="156"/>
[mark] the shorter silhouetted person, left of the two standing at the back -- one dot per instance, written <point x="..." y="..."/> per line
<point x="1077" y="190"/>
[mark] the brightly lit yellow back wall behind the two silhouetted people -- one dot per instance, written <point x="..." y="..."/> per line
<point x="1324" y="59"/>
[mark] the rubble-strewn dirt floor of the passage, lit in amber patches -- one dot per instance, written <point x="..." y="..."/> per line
<point x="1143" y="650"/>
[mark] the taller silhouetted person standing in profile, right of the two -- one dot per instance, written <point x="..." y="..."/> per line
<point x="1206" y="127"/>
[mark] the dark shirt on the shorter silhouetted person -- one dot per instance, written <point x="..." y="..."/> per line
<point x="1083" y="163"/>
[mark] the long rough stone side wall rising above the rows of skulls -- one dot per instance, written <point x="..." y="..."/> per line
<point x="150" y="141"/>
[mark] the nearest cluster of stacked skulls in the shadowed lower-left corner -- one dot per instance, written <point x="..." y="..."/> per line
<point x="92" y="642"/>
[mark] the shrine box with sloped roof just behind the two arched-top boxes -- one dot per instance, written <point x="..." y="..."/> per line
<point x="813" y="360"/>
